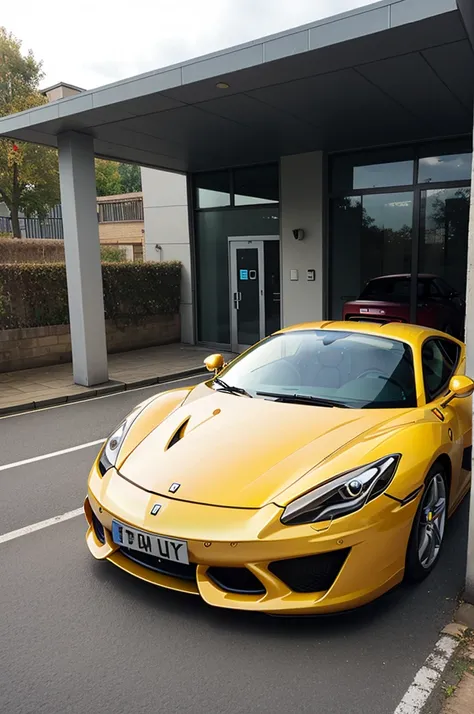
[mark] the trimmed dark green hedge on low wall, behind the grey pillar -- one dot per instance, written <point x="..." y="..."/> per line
<point x="34" y="295"/>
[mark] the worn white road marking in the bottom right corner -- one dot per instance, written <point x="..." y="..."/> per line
<point x="428" y="676"/>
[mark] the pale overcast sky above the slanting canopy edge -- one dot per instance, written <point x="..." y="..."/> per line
<point x="91" y="43"/>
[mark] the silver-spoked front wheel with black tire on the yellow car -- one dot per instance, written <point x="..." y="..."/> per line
<point x="429" y="525"/>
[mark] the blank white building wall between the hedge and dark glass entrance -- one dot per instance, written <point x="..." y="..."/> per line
<point x="165" y="205"/>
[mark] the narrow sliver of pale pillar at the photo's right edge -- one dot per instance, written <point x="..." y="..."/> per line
<point x="469" y="594"/>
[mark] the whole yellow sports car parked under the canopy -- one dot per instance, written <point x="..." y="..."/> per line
<point x="310" y="475"/>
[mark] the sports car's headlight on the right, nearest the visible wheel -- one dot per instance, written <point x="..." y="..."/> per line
<point x="342" y="495"/>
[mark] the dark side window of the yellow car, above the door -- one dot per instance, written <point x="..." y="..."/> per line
<point x="440" y="358"/>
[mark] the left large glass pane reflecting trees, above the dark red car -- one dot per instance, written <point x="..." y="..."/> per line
<point x="371" y="236"/>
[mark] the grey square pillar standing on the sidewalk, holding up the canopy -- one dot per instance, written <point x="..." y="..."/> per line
<point x="82" y="250"/>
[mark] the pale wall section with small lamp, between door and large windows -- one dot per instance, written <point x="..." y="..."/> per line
<point x="301" y="206"/>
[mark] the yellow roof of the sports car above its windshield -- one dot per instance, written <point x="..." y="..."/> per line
<point x="412" y="334"/>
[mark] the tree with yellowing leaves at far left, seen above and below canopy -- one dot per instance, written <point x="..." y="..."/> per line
<point x="29" y="177"/>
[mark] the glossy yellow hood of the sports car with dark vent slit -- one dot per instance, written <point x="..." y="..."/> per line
<point x="228" y="450"/>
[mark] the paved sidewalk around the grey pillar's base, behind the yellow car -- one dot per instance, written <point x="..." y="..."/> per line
<point x="45" y="386"/>
